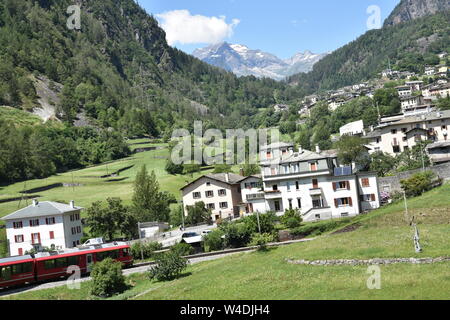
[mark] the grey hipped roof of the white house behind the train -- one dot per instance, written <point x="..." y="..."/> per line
<point x="41" y="209"/>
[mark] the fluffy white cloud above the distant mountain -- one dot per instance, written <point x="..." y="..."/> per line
<point x="184" y="28"/>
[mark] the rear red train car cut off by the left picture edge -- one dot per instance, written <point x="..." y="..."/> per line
<point x="16" y="271"/>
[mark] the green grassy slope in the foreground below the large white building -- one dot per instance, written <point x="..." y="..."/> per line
<point x="266" y="275"/>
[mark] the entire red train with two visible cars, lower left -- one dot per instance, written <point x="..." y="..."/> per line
<point x="45" y="266"/>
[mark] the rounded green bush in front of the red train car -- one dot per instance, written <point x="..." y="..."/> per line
<point x="107" y="278"/>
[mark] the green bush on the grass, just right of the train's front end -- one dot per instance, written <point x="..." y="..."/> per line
<point x="168" y="266"/>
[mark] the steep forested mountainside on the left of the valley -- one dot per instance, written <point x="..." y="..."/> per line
<point x="119" y="70"/>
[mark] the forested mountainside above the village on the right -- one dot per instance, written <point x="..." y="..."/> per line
<point x="408" y="46"/>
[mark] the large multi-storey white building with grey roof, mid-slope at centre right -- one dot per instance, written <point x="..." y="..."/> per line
<point x="315" y="184"/>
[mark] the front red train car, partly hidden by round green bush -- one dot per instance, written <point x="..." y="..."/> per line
<point x="54" y="265"/>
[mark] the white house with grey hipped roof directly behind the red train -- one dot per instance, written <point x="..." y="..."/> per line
<point x="44" y="225"/>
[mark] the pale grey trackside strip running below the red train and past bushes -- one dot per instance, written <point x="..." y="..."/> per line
<point x="125" y="272"/>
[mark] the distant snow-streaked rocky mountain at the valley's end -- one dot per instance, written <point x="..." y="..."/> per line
<point x="244" y="61"/>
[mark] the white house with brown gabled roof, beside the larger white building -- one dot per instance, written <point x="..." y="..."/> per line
<point x="221" y="193"/>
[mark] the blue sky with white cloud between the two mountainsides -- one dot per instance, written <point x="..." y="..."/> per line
<point x="282" y="27"/>
